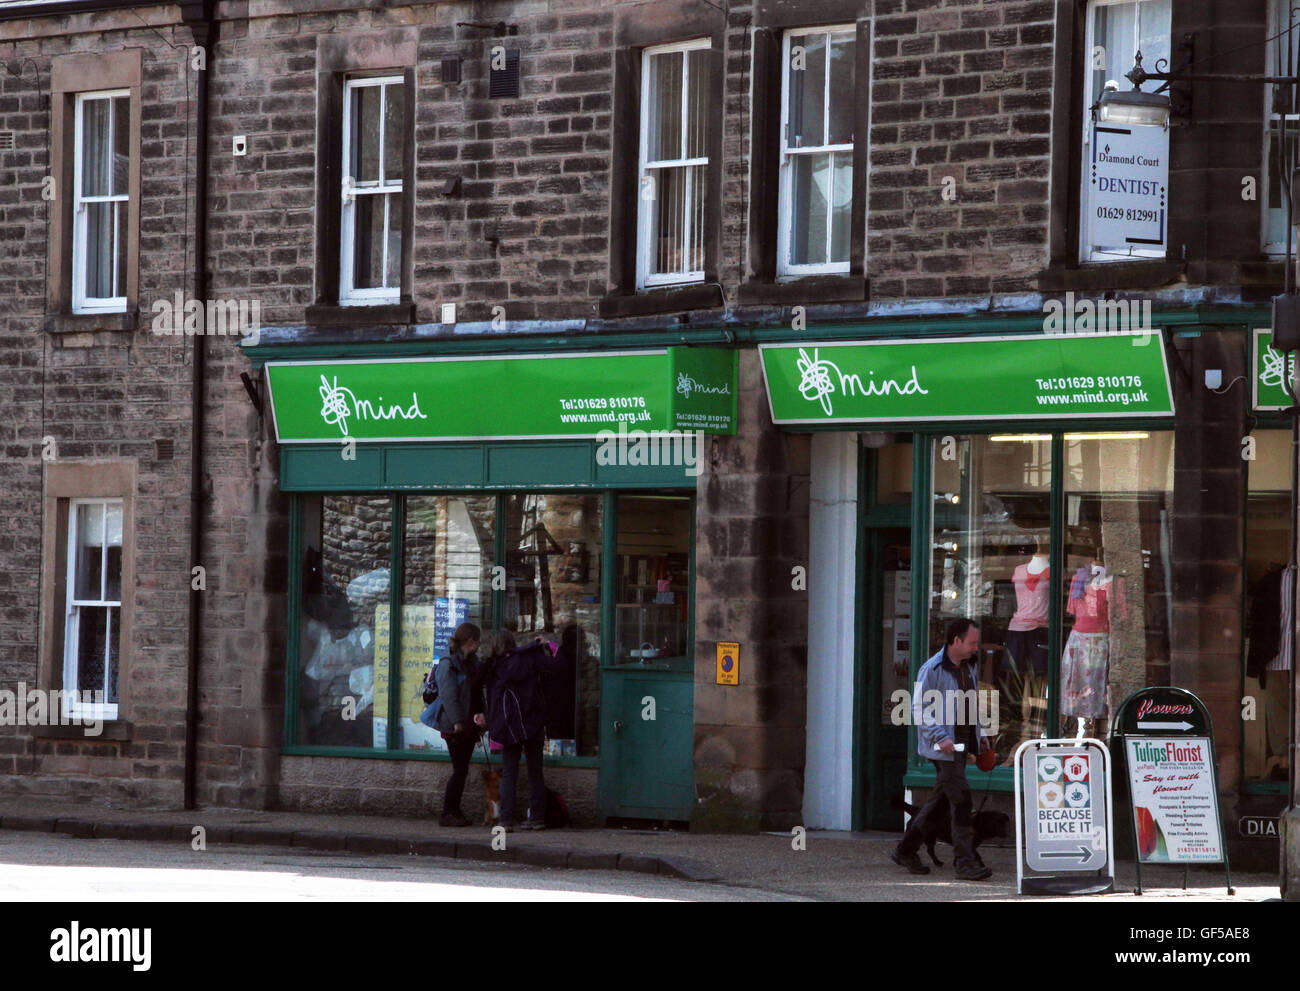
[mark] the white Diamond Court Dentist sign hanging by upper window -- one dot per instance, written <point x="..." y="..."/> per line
<point x="1129" y="185"/>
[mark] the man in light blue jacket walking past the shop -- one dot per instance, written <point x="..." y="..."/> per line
<point x="944" y="722"/>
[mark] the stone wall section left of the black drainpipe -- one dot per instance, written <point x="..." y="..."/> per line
<point x="99" y="396"/>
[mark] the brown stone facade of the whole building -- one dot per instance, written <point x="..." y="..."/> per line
<point x="965" y="120"/>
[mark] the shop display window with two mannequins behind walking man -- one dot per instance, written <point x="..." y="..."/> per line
<point x="1067" y="566"/>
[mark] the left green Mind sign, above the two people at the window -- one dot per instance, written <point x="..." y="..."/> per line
<point x="538" y="397"/>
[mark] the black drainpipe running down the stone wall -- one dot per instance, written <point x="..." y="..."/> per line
<point x="200" y="18"/>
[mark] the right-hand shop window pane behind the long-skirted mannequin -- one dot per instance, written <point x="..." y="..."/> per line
<point x="1119" y="577"/>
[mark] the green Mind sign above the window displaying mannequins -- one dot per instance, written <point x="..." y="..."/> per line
<point x="1025" y="378"/>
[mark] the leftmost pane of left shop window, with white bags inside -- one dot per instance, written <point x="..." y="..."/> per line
<point x="345" y="574"/>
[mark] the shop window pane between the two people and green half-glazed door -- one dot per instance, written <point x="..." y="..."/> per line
<point x="553" y="565"/>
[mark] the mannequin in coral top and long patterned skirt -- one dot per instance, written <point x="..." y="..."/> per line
<point x="1085" y="667"/>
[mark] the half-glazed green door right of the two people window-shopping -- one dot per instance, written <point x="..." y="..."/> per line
<point x="648" y="682"/>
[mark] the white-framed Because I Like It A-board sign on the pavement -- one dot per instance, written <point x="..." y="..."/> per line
<point x="1064" y="817"/>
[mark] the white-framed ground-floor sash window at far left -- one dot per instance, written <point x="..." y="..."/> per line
<point x="94" y="608"/>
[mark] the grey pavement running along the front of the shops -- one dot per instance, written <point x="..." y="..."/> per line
<point x="817" y="865"/>
